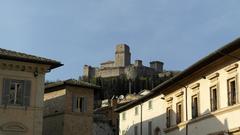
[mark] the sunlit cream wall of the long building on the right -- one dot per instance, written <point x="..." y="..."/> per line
<point x="225" y="118"/>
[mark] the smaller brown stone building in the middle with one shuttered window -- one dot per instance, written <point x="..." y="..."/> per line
<point x="68" y="108"/>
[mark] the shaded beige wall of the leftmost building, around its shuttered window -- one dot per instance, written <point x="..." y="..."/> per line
<point x="31" y="118"/>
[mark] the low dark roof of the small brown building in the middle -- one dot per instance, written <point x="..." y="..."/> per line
<point x="70" y="82"/>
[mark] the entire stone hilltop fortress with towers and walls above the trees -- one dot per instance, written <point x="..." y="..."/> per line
<point x="122" y="66"/>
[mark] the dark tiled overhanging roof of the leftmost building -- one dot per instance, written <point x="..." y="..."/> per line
<point x="17" y="56"/>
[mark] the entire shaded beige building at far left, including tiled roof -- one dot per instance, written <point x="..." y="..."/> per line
<point x="21" y="95"/>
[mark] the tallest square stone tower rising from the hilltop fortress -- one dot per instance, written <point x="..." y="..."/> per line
<point x="122" y="56"/>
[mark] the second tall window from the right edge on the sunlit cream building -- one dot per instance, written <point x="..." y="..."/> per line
<point x="214" y="98"/>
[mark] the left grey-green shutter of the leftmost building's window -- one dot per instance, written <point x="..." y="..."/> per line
<point x="5" y="91"/>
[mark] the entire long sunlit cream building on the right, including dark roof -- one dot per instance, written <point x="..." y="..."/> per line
<point x="202" y="100"/>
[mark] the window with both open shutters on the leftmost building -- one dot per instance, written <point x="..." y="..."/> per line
<point x="16" y="92"/>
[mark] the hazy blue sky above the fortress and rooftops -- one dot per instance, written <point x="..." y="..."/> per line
<point x="79" y="32"/>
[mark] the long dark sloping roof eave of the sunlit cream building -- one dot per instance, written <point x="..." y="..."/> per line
<point x="225" y="50"/>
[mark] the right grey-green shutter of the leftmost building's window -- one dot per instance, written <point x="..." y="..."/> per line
<point x="27" y="93"/>
